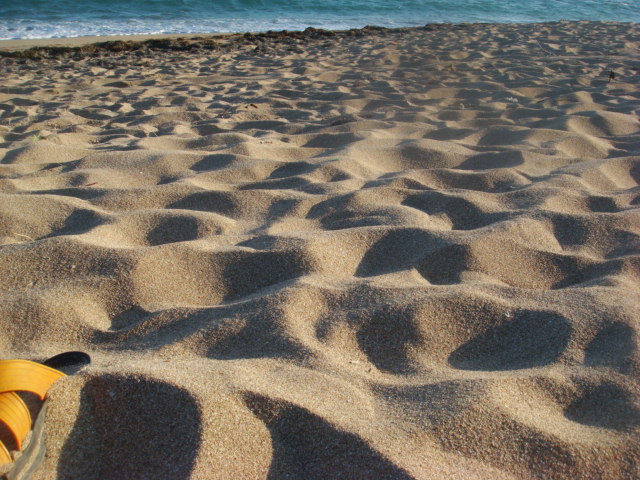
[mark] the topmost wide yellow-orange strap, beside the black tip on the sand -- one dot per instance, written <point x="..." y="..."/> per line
<point x="23" y="375"/>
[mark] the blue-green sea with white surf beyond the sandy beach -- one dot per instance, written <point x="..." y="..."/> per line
<point x="72" y="18"/>
